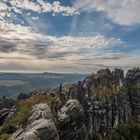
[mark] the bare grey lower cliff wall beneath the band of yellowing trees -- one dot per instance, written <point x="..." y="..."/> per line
<point x="109" y="112"/>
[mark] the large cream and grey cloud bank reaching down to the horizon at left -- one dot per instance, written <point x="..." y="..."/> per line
<point x="26" y="49"/>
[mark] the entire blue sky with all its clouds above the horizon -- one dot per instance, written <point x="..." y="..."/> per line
<point x="71" y="36"/>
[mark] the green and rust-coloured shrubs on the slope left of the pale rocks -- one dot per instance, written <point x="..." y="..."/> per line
<point x="19" y="118"/>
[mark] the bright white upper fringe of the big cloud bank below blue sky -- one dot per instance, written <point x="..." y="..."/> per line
<point x="11" y="31"/>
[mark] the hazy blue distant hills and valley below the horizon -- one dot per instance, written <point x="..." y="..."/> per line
<point x="12" y="84"/>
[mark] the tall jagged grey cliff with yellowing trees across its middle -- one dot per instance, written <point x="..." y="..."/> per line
<point x="108" y="101"/>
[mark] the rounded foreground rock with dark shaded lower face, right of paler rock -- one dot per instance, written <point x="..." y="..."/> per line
<point x="71" y="121"/>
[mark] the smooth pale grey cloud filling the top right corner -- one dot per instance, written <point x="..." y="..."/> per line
<point x="122" y="12"/>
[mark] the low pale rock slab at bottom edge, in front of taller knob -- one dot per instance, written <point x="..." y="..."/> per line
<point x="41" y="129"/>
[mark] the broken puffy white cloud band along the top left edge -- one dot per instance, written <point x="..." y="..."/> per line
<point x="17" y="7"/>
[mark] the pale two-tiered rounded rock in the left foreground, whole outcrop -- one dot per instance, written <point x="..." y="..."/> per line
<point x="40" y="125"/>
